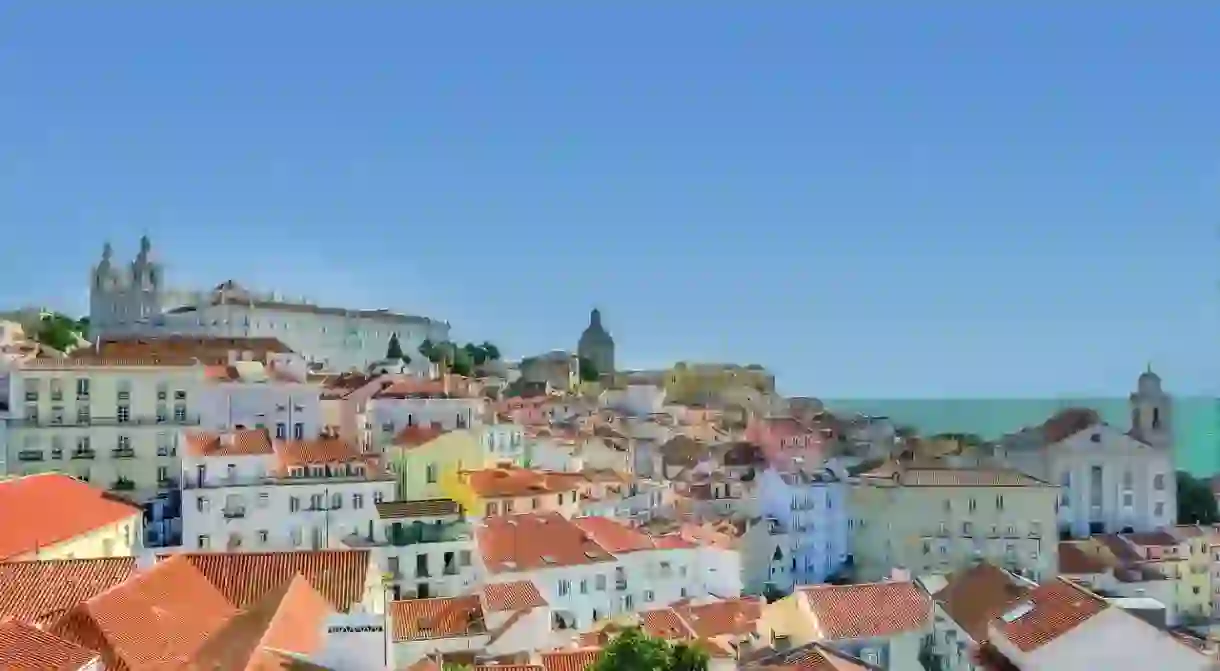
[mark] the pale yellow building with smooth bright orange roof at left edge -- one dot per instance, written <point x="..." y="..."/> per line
<point x="56" y="517"/>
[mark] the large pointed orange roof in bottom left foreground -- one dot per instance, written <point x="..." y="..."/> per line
<point x="159" y="617"/>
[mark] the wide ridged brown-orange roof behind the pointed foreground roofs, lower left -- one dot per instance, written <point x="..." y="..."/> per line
<point x="245" y="579"/>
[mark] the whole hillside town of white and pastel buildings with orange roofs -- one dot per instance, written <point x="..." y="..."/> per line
<point x="230" y="479"/>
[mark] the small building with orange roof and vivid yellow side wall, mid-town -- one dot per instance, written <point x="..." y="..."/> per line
<point x="509" y="491"/>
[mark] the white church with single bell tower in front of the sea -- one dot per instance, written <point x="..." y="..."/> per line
<point x="1111" y="481"/>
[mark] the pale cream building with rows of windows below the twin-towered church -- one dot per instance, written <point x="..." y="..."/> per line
<point x="112" y="423"/>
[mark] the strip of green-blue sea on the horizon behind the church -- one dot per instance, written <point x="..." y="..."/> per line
<point x="1196" y="420"/>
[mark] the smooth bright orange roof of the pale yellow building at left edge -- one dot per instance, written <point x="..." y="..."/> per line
<point x="25" y="526"/>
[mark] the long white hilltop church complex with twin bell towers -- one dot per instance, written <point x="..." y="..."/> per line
<point x="132" y="301"/>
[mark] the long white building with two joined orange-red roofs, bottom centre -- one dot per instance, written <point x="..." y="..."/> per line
<point x="590" y="569"/>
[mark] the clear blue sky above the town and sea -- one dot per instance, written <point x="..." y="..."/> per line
<point x="886" y="201"/>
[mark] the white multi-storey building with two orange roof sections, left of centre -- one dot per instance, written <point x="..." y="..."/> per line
<point x="247" y="492"/>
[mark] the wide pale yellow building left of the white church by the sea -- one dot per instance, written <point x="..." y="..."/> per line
<point x="928" y="519"/>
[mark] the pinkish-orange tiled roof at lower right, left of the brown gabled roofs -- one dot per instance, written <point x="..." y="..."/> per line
<point x="868" y="611"/>
